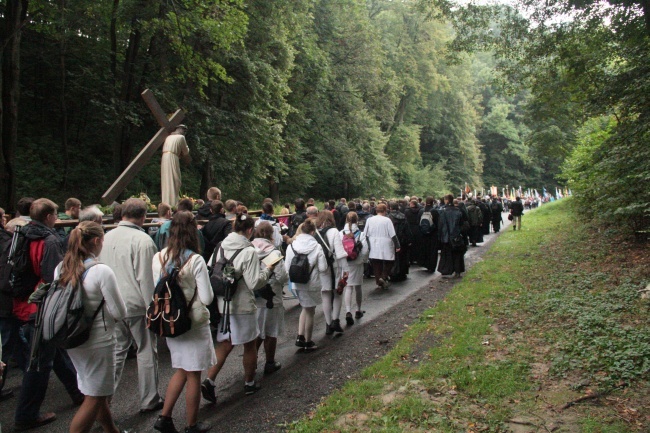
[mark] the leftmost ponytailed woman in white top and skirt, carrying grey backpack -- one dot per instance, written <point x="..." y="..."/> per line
<point x="95" y="359"/>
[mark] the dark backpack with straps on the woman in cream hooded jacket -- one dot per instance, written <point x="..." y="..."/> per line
<point x="224" y="284"/>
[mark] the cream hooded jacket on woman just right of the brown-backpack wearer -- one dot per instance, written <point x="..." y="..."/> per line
<point x="248" y="273"/>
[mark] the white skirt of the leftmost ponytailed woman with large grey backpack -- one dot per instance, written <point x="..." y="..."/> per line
<point x="95" y="370"/>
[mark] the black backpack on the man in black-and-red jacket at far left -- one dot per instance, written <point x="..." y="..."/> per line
<point x="22" y="279"/>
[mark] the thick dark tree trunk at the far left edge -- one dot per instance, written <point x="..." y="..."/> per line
<point x="14" y="15"/>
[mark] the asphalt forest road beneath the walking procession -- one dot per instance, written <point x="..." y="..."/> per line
<point x="294" y="390"/>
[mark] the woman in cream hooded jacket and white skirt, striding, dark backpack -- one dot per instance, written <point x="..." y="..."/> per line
<point x="243" y="311"/>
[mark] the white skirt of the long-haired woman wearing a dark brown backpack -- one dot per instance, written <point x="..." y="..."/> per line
<point x="194" y="350"/>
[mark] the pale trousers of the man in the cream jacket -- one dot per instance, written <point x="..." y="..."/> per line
<point x="134" y="329"/>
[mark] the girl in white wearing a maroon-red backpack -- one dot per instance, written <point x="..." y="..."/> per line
<point x="355" y="268"/>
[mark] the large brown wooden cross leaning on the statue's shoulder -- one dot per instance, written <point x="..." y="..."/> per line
<point x="167" y="126"/>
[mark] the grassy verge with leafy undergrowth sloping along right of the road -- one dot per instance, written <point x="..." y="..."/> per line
<point x="548" y="333"/>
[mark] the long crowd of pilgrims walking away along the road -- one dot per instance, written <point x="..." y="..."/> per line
<point x="118" y="270"/>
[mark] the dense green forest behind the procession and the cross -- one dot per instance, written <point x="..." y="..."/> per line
<point x="331" y="98"/>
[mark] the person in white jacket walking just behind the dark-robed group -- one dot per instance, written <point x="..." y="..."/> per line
<point x="383" y="245"/>
